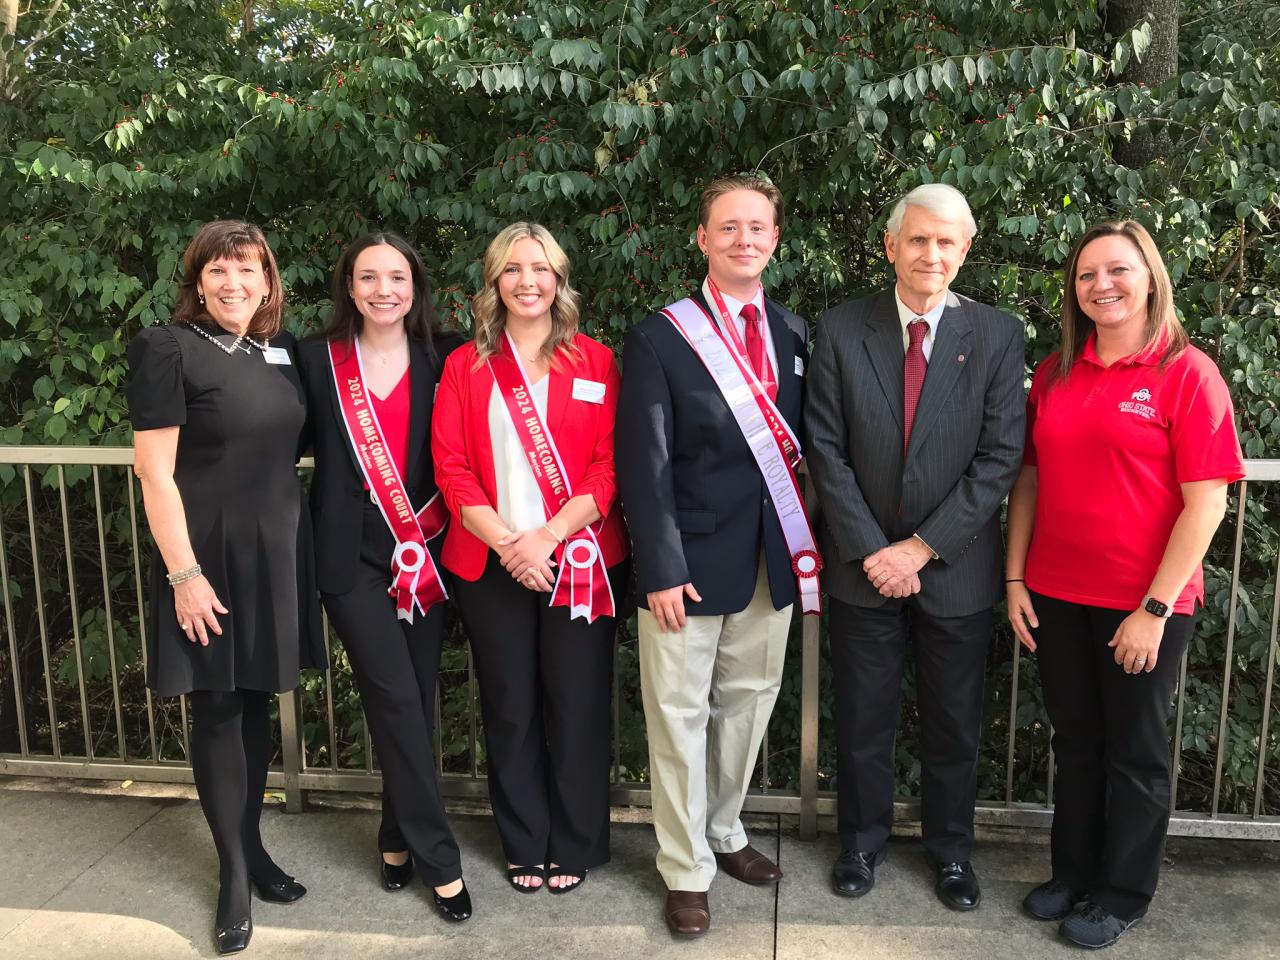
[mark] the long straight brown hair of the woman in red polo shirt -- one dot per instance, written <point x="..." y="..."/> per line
<point x="1164" y="328"/>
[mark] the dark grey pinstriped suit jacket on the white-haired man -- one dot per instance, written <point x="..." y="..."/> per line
<point x="967" y="446"/>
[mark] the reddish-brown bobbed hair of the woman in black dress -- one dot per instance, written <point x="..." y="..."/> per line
<point x="241" y="241"/>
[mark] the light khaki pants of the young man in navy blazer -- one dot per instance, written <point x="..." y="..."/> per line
<point x="708" y="693"/>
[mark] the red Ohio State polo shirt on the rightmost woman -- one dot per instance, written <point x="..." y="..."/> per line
<point x="1112" y="446"/>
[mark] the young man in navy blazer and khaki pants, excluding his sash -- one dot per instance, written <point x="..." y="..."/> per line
<point x="714" y="572"/>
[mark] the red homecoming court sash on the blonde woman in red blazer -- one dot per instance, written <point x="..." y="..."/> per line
<point x="583" y="582"/>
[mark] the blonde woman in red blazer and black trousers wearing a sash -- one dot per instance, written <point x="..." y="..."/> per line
<point x="523" y="440"/>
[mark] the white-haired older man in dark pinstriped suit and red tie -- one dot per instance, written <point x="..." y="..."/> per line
<point x="915" y="438"/>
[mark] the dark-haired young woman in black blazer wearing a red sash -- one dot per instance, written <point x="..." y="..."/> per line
<point x="371" y="380"/>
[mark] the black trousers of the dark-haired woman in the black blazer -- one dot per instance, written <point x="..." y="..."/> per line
<point x="396" y="666"/>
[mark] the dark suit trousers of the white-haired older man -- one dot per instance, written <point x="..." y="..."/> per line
<point x="868" y="648"/>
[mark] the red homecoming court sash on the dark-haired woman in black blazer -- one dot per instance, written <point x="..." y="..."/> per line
<point x="415" y="579"/>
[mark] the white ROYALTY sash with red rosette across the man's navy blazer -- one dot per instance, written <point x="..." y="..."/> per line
<point x="767" y="435"/>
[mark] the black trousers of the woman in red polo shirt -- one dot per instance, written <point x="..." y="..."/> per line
<point x="1112" y="747"/>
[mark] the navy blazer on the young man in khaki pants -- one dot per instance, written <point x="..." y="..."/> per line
<point x="694" y="500"/>
